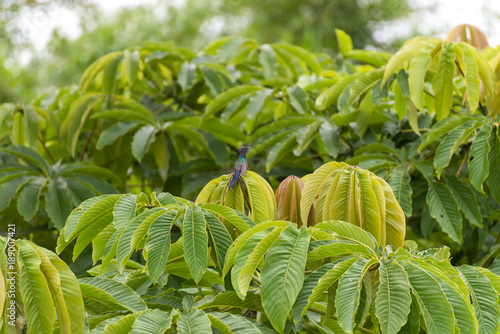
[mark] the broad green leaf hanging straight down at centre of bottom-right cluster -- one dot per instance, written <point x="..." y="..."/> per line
<point x="392" y="305"/>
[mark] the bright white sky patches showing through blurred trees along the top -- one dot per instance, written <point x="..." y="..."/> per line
<point x="38" y="24"/>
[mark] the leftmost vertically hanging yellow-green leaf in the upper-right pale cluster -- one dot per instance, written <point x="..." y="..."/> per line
<point x="416" y="74"/>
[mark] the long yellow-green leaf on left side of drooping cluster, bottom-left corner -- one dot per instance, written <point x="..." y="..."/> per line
<point x="37" y="299"/>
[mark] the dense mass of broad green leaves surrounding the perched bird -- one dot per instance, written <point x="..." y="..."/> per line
<point x="420" y="136"/>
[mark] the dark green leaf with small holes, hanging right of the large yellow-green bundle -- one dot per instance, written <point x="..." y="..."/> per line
<point x="444" y="208"/>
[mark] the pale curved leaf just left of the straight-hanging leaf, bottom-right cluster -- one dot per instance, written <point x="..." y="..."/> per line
<point x="348" y="296"/>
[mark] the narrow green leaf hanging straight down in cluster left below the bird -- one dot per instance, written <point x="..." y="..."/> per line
<point x="195" y="241"/>
